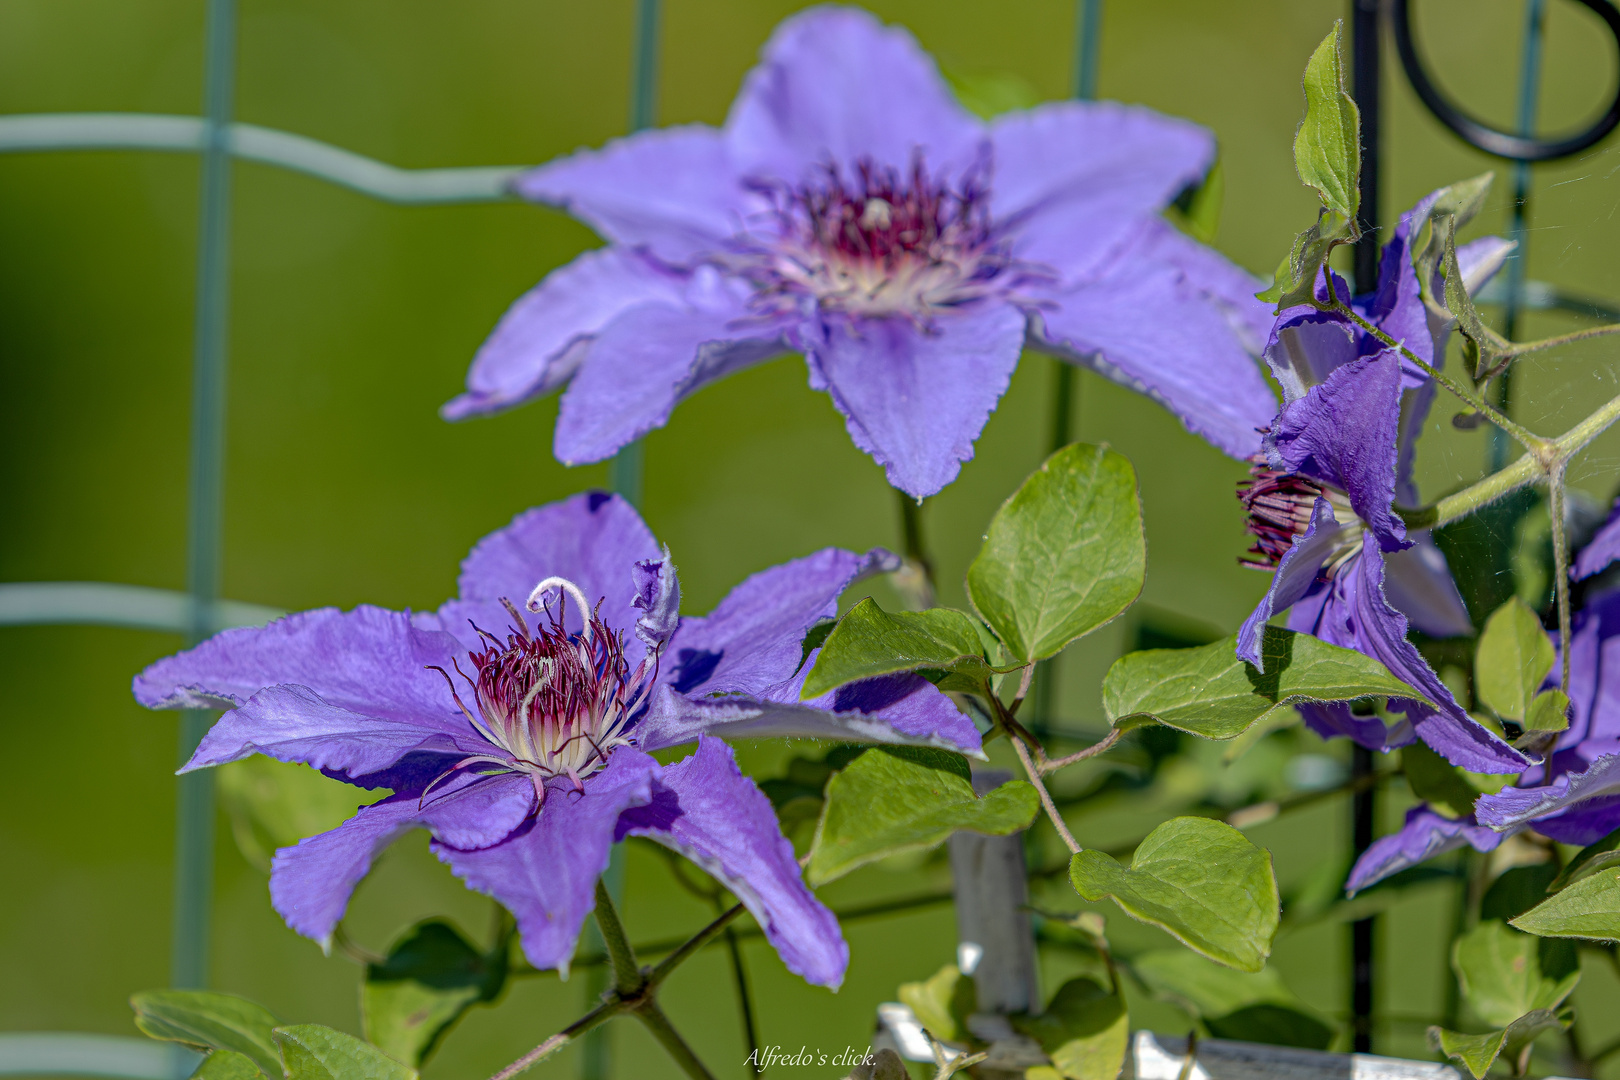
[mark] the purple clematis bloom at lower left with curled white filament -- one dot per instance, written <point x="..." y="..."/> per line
<point x="521" y="739"/>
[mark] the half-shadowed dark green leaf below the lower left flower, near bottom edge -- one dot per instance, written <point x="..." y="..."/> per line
<point x="428" y="982"/>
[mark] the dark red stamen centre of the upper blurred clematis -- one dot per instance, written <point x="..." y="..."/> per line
<point x="880" y="244"/>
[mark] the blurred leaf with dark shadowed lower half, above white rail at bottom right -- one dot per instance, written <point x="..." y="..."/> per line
<point x="1245" y="1006"/>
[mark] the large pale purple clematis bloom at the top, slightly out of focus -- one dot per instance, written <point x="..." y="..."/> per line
<point x="851" y="210"/>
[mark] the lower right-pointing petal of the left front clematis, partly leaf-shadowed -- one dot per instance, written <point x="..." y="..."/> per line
<point x="890" y="710"/>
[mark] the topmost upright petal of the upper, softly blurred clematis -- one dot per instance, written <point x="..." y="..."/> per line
<point x="837" y="87"/>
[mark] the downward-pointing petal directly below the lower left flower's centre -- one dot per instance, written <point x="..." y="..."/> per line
<point x="547" y="872"/>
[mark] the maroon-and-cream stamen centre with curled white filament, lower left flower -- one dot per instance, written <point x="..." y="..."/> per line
<point x="553" y="704"/>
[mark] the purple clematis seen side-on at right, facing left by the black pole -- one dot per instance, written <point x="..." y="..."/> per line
<point x="1323" y="503"/>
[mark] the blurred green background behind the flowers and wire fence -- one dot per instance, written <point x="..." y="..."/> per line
<point x="354" y="321"/>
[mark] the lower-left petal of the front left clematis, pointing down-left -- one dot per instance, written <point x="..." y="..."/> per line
<point x="313" y="880"/>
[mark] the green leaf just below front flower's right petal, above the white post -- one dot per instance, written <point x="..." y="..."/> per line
<point x="906" y="799"/>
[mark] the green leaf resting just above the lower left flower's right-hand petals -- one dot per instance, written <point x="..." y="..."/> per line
<point x="872" y="642"/>
